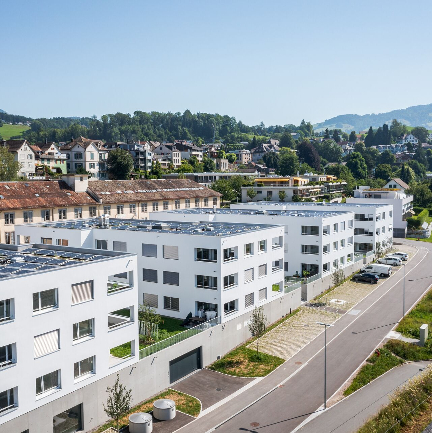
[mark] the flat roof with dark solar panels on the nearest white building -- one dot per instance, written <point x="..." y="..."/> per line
<point x="22" y="260"/>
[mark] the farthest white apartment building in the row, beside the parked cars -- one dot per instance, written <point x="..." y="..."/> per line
<point x="373" y="223"/>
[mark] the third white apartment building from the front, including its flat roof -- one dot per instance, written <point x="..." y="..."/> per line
<point x="316" y="242"/>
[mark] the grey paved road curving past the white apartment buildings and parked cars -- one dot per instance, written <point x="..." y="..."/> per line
<point x="284" y="399"/>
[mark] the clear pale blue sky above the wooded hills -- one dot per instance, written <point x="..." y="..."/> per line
<point x="272" y="61"/>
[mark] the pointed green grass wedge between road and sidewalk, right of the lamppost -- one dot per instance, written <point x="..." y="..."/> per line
<point x="375" y="366"/>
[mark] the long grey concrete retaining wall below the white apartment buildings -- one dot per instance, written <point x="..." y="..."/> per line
<point x="150" y="375"/>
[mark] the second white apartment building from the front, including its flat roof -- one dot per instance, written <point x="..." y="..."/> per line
<point x="206" y="268"/>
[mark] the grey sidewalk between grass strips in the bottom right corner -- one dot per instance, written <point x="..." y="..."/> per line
<point x="350" y="414"/>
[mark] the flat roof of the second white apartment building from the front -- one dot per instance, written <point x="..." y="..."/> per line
<point x="176" y="227"/>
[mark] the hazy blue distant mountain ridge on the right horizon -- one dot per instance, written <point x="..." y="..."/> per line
<point x="418" y="115"/>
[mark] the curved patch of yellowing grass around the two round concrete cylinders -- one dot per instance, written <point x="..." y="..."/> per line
<point x="184" y="403"/>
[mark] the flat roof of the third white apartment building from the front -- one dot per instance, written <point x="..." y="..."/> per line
<point x="321" y="213"/>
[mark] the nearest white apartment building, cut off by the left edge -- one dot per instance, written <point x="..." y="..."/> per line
<point x="59" y="321"/>
